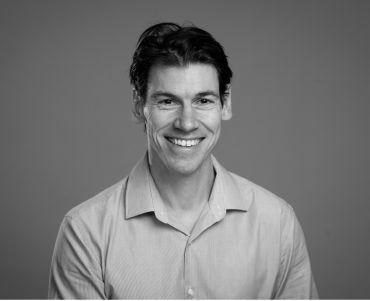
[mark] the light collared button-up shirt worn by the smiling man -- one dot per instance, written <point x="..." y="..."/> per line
<point x="246" y="244"/>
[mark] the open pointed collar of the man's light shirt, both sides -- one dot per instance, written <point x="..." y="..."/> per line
<point x="142" y="195"/>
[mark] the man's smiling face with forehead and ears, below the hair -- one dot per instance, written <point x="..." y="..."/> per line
<point x="183" y="114"/>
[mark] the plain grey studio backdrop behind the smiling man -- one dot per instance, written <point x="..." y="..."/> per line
<point x="300" y="125"/>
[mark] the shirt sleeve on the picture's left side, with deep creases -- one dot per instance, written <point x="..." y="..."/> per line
<point x="75" y="271"/>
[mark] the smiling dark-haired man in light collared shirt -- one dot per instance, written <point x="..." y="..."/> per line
<point x="180" y="225"/>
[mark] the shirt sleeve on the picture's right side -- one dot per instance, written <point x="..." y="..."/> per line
<point x="295" y="279"/>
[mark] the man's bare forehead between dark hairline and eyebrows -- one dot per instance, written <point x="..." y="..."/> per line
<point x="183" y="80"/>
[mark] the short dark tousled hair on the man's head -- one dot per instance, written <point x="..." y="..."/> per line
<point x="172" y="44"/>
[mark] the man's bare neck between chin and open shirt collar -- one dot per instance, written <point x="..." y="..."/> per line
<point x="184" y="193"/>
